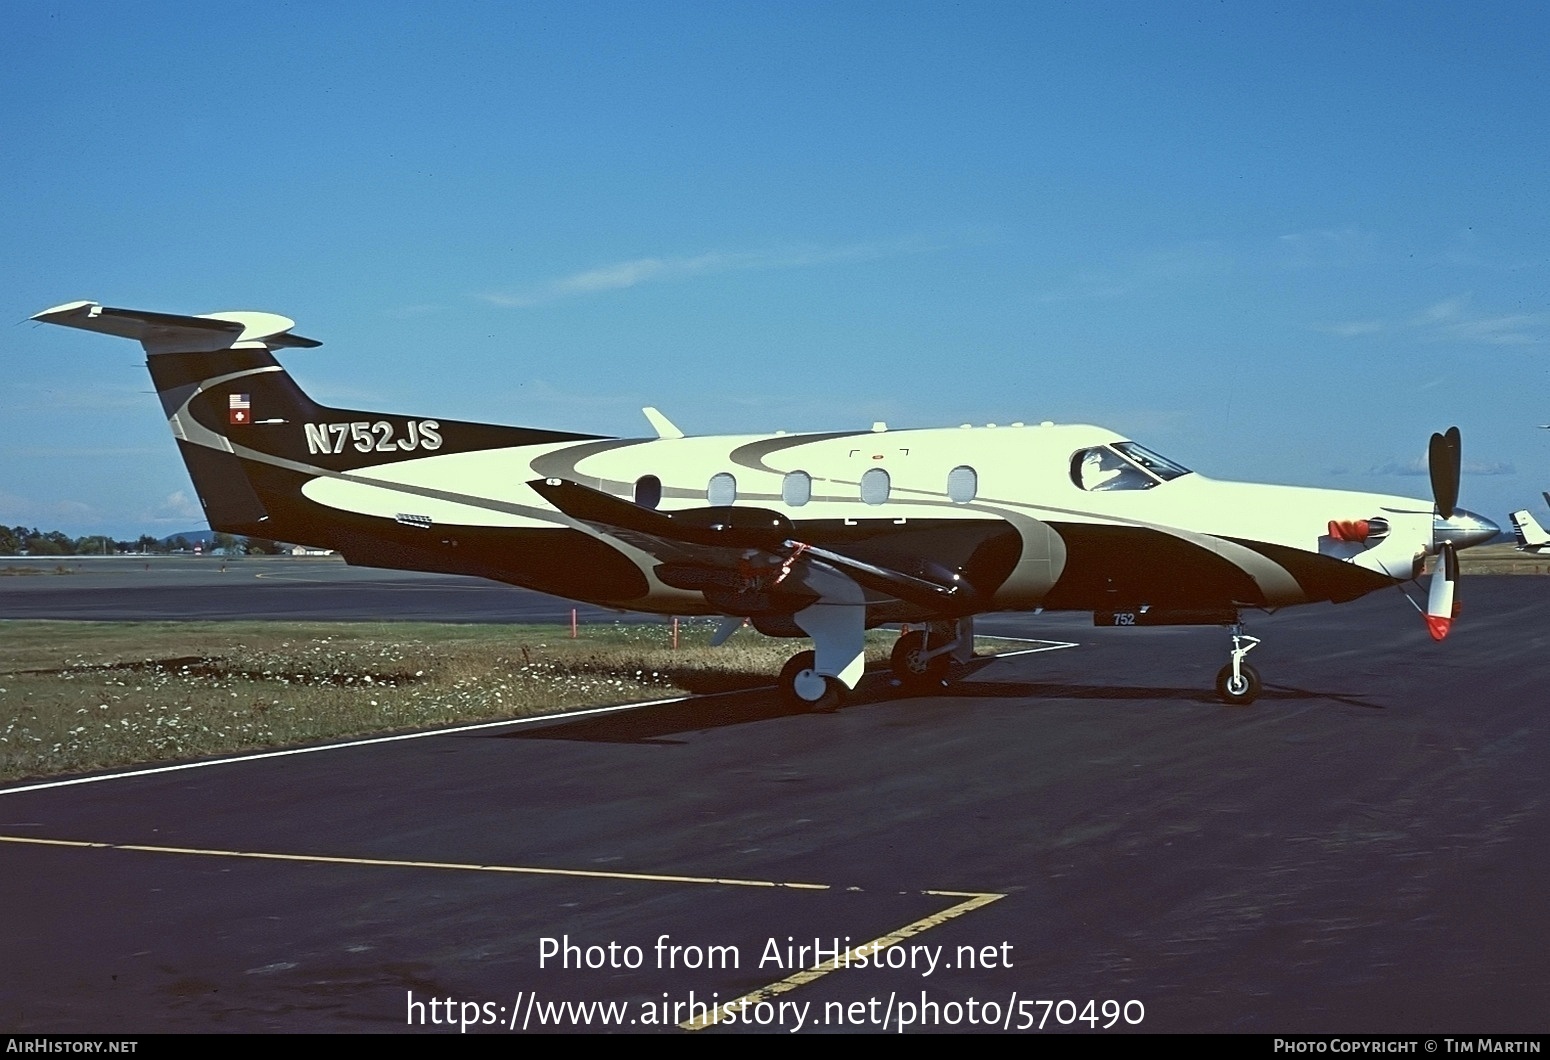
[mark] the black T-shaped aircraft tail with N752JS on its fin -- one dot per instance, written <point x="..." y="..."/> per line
<point x="249" y="435"/>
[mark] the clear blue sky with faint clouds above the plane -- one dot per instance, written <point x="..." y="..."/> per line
<point x="1278" y="246"/>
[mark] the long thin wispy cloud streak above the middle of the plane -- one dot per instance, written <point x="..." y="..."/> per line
<point x="667" y="270"/>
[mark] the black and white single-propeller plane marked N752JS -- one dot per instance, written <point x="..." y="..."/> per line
<point x="819" y="535"/>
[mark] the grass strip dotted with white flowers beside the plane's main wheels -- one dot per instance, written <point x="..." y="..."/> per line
<point x="81" y="697"/>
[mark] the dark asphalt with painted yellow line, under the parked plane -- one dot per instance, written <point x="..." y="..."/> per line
<point x="1362" y="850"/>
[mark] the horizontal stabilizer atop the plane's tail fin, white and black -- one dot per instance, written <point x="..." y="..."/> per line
<point x="174" y="334"/>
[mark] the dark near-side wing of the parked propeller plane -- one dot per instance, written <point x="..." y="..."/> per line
<point x="746" y="551"/>
